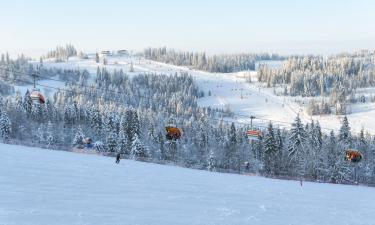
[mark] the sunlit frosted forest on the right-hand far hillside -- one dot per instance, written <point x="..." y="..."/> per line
<point x="337" y="77"/>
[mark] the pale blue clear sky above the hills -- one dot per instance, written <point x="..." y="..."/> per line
<point x="215" y="26"/>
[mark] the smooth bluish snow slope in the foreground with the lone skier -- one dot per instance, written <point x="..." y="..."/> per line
<point x="44" y="187"/>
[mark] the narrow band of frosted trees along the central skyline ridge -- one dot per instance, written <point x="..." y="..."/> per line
<point x="200" y="61"/>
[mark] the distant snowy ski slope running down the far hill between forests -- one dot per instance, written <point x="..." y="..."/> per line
<point x="227" y="89"/>
